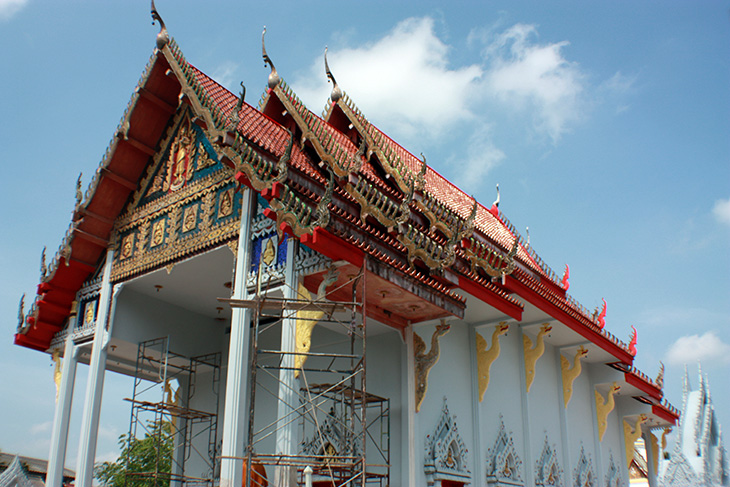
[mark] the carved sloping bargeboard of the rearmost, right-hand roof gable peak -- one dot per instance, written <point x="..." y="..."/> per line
<point x="378" y="144"/>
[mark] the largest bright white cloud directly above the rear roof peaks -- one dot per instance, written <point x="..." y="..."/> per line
<point x="403" y="80"/>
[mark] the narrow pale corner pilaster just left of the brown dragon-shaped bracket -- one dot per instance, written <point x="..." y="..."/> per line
<point x="409" y="413"/>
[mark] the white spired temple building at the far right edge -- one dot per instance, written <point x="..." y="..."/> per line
<point x="698" y="457"/>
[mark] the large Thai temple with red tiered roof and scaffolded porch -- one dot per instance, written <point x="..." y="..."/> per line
<point x="305" y="302"/>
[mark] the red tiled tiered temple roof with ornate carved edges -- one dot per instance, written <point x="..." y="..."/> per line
<point x="347" y="193"/>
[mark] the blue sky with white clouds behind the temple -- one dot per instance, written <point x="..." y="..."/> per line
<point x="605" y="124"/>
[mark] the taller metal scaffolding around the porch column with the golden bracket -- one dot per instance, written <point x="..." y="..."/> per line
<point x="337" y="422"/>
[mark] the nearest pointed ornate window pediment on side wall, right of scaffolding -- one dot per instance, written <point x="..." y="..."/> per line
<point x="446" y="454"/>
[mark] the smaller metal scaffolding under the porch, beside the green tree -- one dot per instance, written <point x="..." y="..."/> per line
<point x="167" y="418"/>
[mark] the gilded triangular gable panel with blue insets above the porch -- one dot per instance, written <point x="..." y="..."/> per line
<point x="185" y="204"/>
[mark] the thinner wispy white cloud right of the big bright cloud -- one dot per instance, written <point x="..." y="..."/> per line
<point x="535" y="77"/>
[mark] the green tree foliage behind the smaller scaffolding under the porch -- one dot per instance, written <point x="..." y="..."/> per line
<point x="142" y="462"/>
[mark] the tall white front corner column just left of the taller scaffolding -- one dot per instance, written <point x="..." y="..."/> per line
<point x="235" y="410"/>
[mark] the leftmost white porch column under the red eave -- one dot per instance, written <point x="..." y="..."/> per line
<point x="59" y="435"/>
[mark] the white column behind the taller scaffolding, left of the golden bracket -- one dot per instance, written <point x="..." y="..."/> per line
<point x="285" y="434"/>
